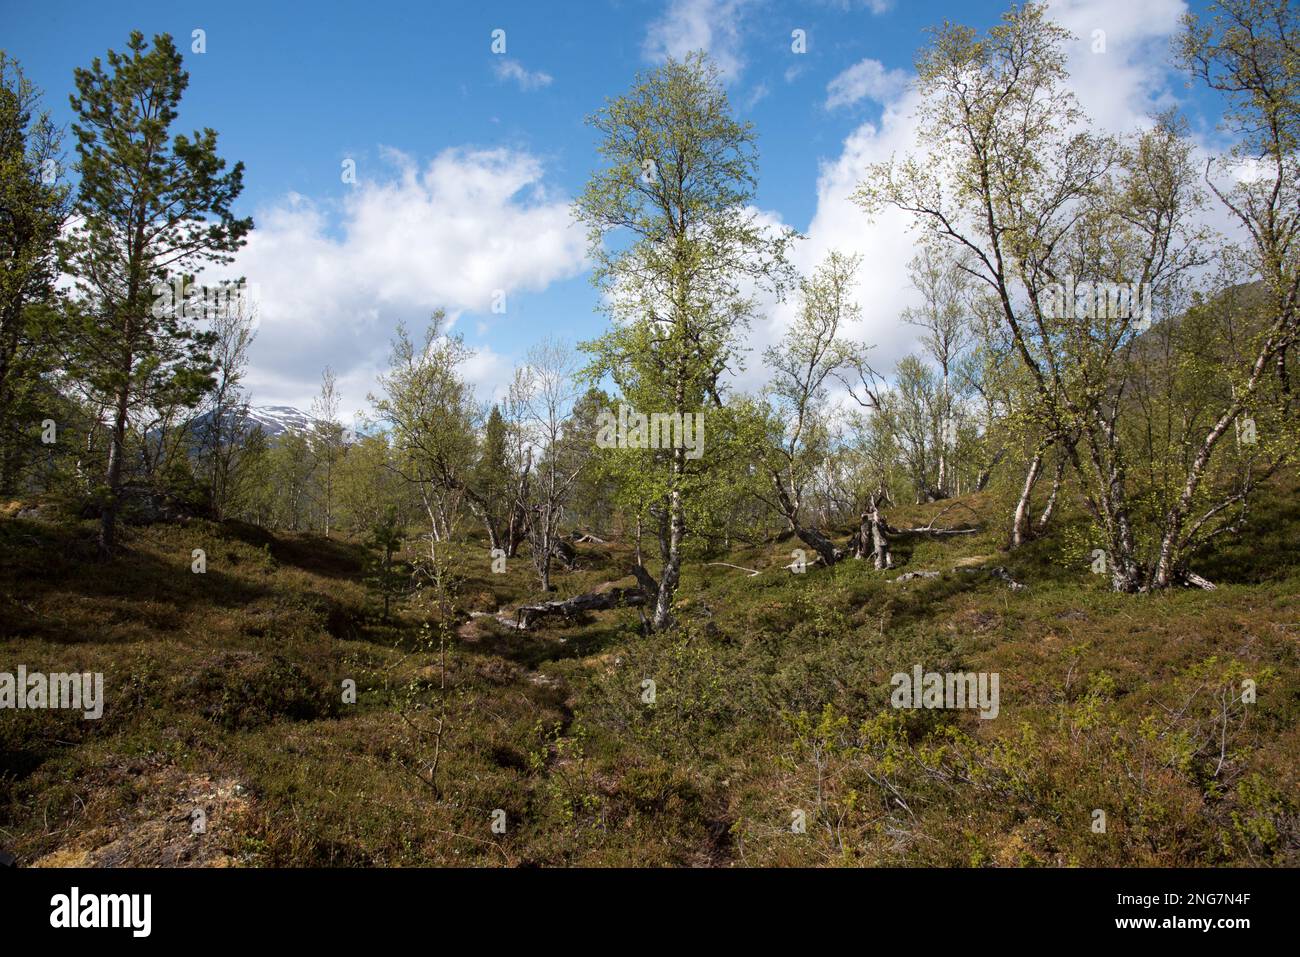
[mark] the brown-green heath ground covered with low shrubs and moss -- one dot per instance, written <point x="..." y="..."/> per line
<point x="772" y="708"/>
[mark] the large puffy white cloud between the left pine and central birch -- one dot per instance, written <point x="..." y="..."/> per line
<point x="469" y="229"/>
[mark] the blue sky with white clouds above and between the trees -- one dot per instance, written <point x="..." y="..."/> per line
<point x="466" y="159"/>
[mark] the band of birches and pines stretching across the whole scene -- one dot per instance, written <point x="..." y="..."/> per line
<point x="1081" y="334"/>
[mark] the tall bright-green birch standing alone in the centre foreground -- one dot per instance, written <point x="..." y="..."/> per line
<point x="674" y="194"/>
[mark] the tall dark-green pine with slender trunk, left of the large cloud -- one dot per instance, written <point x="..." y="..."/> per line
<point x="153" y="206"/>
